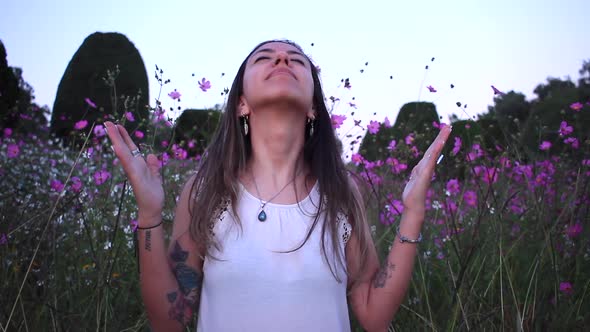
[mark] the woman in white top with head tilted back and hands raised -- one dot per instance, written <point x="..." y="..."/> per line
<point x="270" y="234"/>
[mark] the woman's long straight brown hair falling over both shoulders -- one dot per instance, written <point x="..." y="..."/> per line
<point x="227" y="154"/>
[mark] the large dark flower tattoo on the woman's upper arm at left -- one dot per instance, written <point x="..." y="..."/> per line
<point x="185" y="301"/>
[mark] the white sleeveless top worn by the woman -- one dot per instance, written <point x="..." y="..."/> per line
<point x="255" y="287"/>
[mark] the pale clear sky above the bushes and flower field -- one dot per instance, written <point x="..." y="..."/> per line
<point x="513" y="45"/>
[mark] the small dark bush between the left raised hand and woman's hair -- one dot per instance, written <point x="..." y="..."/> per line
<point x="196" y="126"/>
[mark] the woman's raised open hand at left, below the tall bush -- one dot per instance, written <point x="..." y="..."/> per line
<point x="143" y="174"/>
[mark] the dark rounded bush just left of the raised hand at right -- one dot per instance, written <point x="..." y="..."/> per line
<point x="414" y="118"/>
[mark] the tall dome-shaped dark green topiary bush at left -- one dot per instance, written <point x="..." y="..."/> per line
<point x="87" y="77"/>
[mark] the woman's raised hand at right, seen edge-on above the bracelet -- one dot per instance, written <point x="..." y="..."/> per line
<point x="414" y="195"/>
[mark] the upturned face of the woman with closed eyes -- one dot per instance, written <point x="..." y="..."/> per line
<point x="278" y="74"/>
